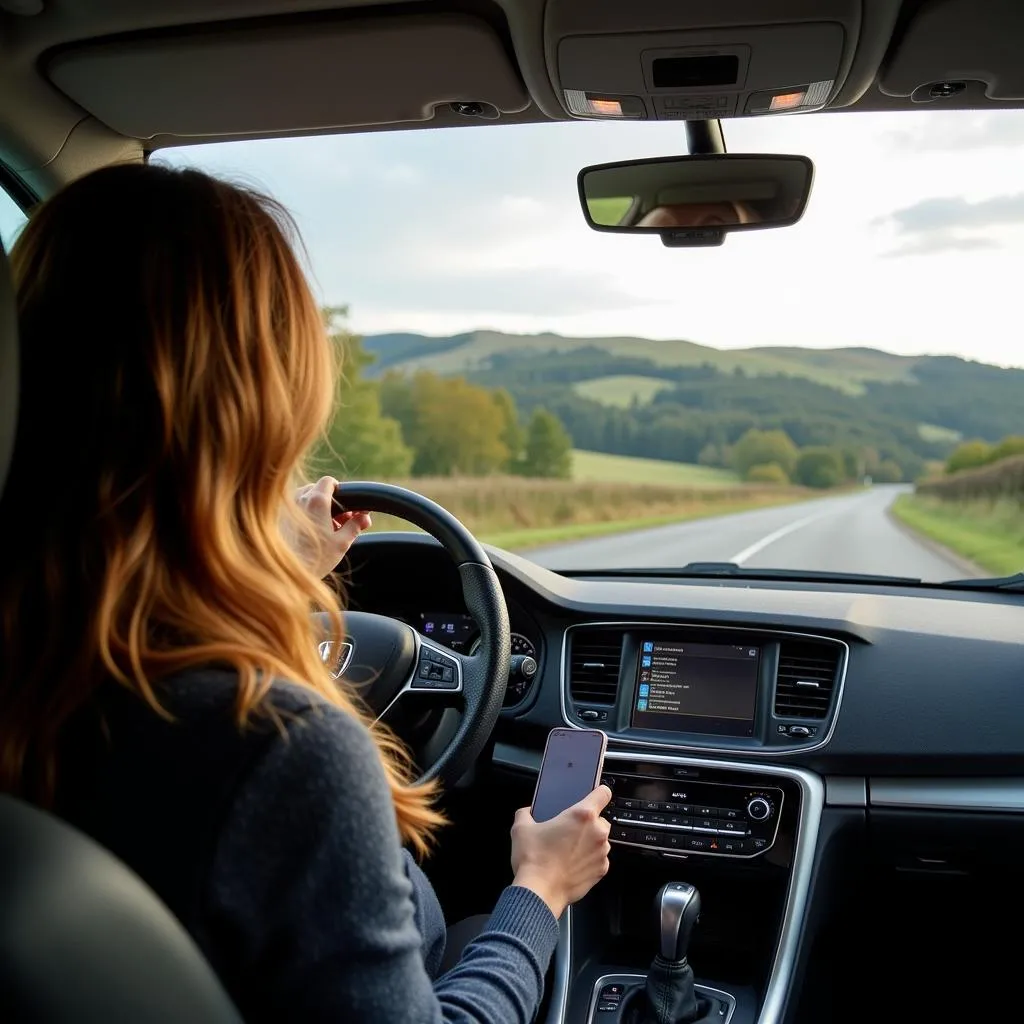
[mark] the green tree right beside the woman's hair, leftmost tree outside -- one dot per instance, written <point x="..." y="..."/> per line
<point x="360" y="441"/>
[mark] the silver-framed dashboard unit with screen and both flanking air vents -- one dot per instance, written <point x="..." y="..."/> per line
<point x="701" y="689"/>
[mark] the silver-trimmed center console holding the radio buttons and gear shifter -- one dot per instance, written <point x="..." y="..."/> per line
<point x="740" y="838"/>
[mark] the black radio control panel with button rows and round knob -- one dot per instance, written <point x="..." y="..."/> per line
<point x="693" y="818"/>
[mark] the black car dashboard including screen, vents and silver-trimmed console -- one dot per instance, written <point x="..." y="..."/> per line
<point x="765" y="739"/>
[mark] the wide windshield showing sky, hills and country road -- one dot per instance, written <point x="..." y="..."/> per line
<point x="833" y="397"/>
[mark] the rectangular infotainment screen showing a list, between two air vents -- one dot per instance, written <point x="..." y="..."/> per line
<point x="697" y="688"/>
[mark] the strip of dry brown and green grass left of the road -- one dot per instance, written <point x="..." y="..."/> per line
<point x="518" y="514"/>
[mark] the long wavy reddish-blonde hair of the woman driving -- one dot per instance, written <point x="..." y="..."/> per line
<point x="176" y="371"/>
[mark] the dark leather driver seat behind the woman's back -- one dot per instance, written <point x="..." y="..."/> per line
<point x="82" y="938"/>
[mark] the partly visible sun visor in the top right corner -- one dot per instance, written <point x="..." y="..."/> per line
<point x="952" y="44"/>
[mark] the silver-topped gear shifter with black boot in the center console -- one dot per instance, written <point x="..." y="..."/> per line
<point x="670" y="996"/>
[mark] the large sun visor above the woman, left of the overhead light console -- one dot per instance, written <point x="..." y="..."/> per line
<point x="304" y="77"/>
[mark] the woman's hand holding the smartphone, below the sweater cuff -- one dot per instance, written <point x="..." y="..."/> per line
<point x="563" y="860"/>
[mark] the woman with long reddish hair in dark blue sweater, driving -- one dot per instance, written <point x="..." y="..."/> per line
<point x="161" y="688"/>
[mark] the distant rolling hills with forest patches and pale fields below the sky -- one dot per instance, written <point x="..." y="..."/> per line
<point x="687" y="403"/>
